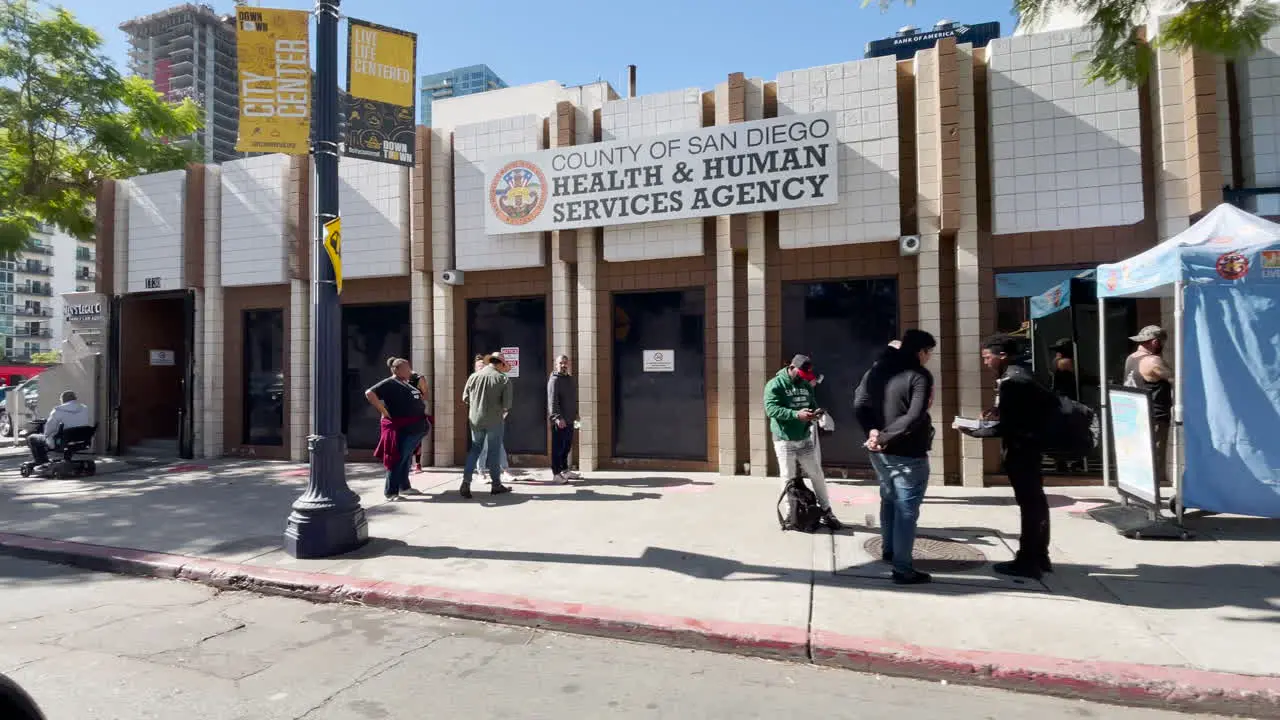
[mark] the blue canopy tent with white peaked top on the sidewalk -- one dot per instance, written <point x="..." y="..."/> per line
<point x="1224" y="275"/>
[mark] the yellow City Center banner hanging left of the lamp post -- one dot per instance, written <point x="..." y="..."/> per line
<point x="275" y="57"/>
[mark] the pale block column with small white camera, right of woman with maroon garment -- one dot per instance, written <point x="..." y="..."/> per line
<point x="445" y="394"/>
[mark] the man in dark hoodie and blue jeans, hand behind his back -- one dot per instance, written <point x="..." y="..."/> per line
<point x="893" y="407"/>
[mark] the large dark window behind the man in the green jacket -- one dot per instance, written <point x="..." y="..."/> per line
<point x="844" y="326"/>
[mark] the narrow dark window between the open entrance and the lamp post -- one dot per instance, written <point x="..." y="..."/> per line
<point x="264" y="377"/>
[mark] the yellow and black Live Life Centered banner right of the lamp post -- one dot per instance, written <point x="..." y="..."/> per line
<point x="382" y="66"/>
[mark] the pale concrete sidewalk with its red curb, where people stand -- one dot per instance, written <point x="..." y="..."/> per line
<point x="698" y="560"/>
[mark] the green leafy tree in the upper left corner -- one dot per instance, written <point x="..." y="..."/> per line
<point x="68" y="120"/>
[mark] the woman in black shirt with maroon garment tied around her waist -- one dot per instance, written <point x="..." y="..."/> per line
<point x="404" y="425"/>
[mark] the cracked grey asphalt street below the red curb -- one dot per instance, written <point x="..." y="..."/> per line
<point x="103" y="648"/>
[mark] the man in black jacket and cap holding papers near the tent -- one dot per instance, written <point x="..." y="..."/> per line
<point x="1022" y="413"/>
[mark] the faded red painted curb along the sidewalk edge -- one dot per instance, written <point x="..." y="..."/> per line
<point x="1108" y="682"/>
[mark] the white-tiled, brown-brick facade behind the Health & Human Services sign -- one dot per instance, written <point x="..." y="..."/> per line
<point x="1003" y="162"/>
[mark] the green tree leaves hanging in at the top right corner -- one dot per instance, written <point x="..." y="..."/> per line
<point x="1223" y="28"/>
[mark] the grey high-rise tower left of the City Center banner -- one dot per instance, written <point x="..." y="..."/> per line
<point x="190" y="52"/>
